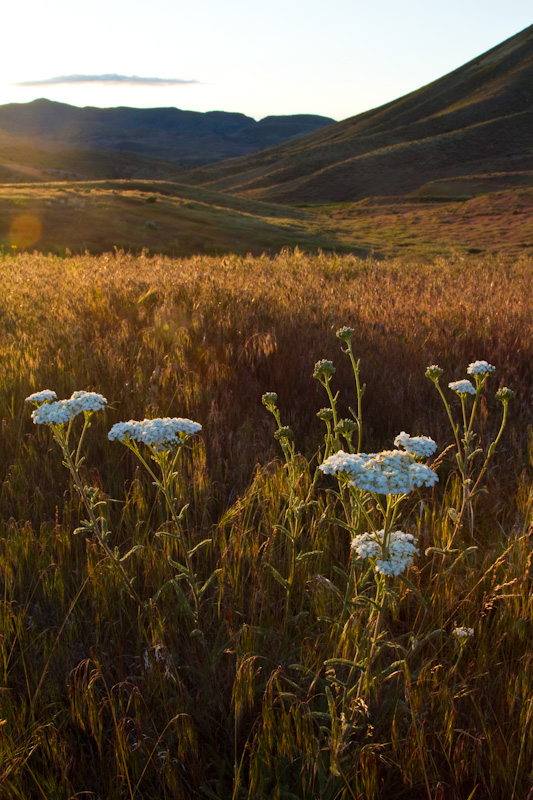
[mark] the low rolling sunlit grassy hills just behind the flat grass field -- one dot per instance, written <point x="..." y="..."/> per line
<point x="471" y="214"/>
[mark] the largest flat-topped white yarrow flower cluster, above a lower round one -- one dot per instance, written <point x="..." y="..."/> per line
<point x="388" y="472"/>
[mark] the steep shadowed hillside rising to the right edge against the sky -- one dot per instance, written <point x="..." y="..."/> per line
<point x="476" y="120"/>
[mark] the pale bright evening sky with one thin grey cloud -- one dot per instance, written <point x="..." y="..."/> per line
<point x="278" y="57"/>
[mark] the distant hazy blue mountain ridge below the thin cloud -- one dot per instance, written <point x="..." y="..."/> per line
<point x="186" y="138"/>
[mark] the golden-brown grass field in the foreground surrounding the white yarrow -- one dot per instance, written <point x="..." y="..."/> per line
<point x="301" y="674"/>
